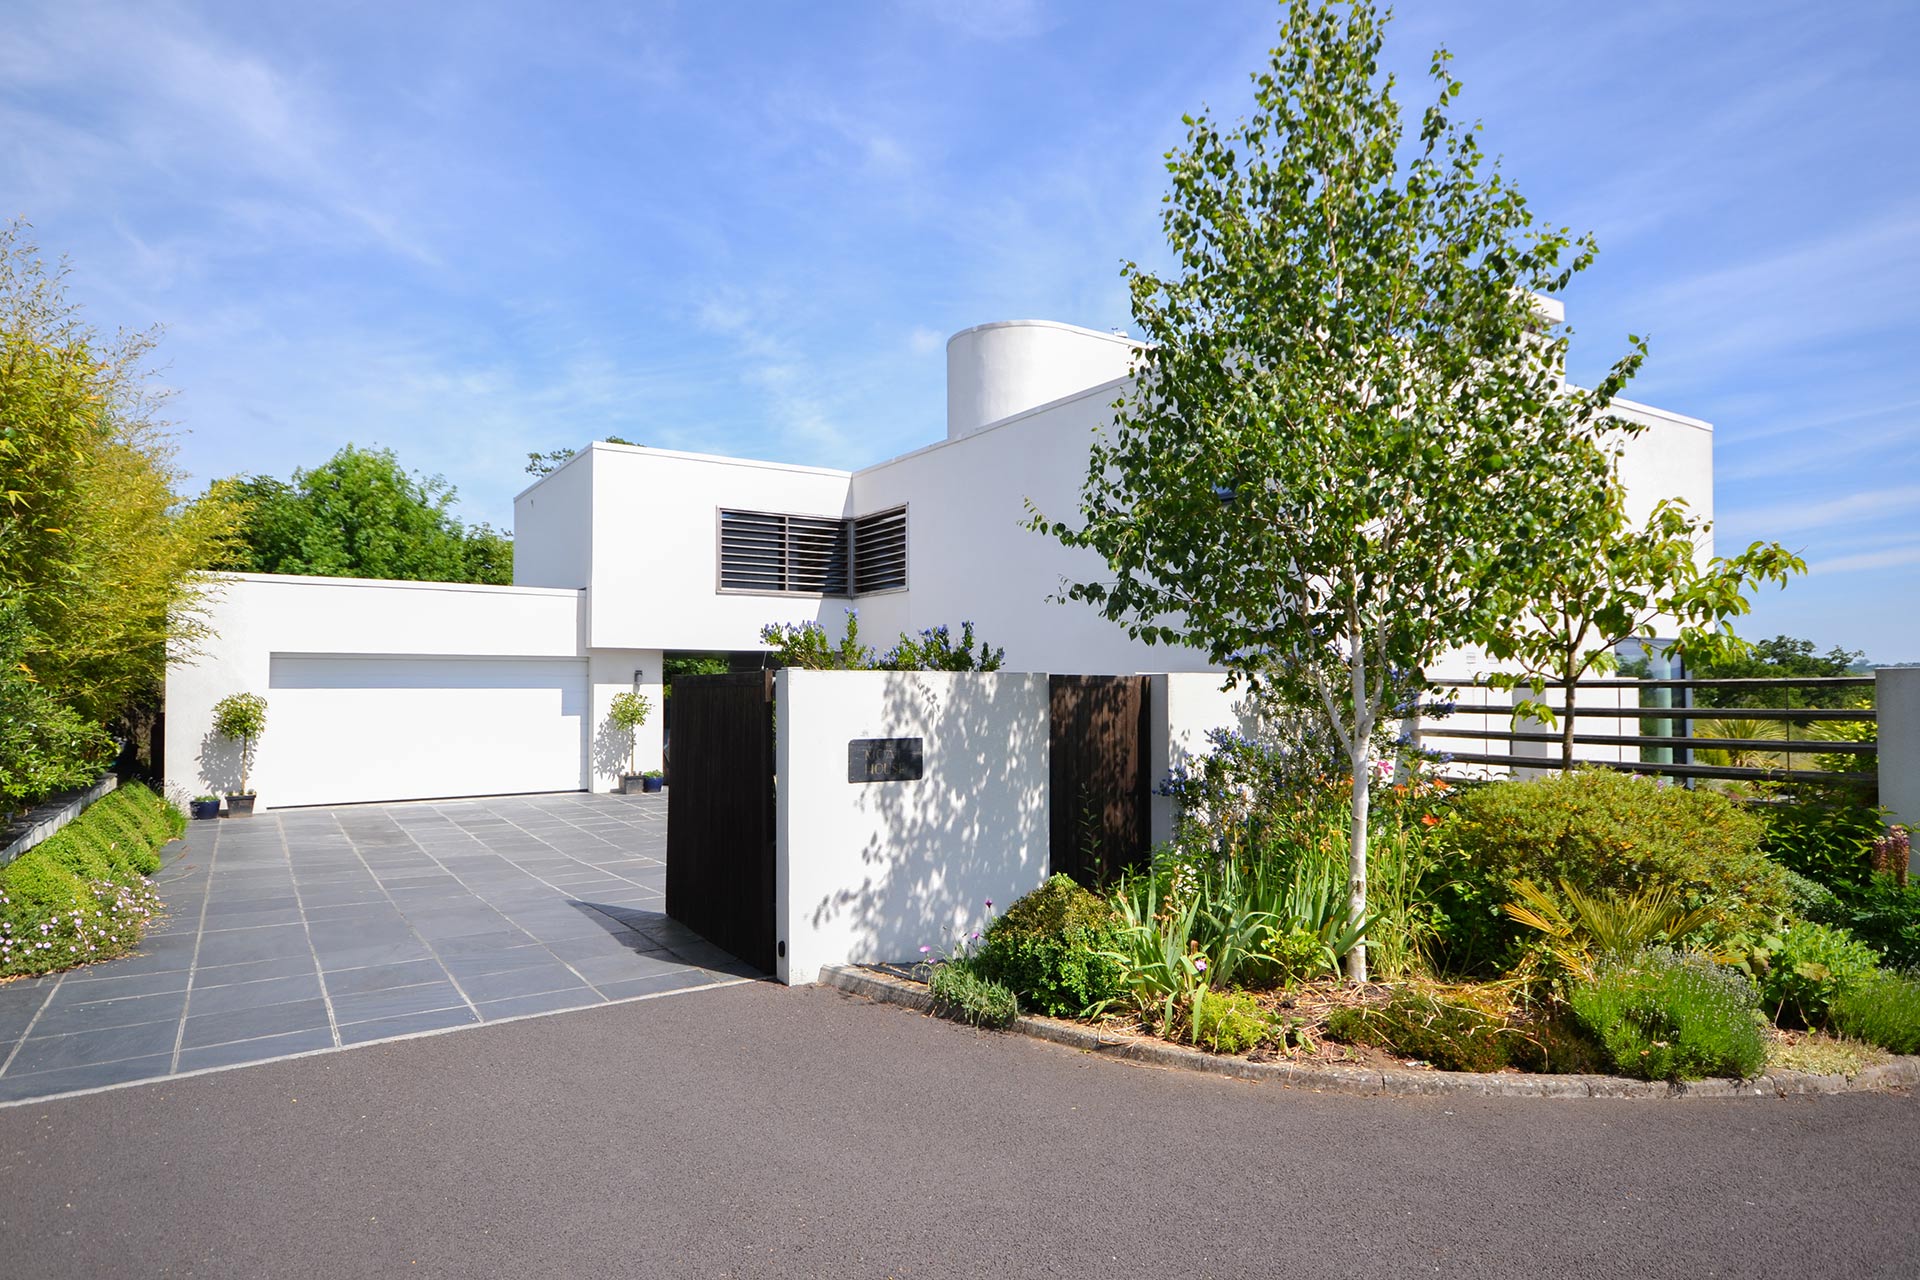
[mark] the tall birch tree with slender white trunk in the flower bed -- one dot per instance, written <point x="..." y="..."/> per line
<point x="1349" y="425"/>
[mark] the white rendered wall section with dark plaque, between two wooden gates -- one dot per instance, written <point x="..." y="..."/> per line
<point x="873" y="872"/>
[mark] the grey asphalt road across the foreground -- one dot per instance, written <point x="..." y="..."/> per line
<point x="756" y="1131"/>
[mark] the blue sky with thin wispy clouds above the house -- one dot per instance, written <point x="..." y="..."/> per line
<point x="473" y="231"/>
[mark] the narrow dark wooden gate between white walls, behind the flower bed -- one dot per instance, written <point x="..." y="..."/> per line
<point x="1101" y="795"/>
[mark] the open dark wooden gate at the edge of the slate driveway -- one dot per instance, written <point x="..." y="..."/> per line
<point x="721" y="813"/>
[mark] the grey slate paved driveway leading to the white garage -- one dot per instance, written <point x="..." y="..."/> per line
<point x="314" y="930"/>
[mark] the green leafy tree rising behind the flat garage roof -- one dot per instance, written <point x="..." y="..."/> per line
<point x="360" y="515"/>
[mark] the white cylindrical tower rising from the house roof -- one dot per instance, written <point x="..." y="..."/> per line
<point x="996" y="371"/>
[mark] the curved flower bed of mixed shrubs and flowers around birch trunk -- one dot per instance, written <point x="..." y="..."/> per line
<point x="1579" y="924"/>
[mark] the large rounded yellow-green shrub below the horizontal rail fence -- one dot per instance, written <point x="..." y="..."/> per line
<point x="1600" y="830"/>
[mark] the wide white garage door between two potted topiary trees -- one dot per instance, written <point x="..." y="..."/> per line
<point x="354" y="728"/>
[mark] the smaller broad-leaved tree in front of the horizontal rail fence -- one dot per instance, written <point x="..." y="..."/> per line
<point x="1616" y="582"/>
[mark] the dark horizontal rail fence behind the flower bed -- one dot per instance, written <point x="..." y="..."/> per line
<point x="1740" y="742"/>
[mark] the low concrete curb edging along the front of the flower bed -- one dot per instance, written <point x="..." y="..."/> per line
<point x="1898" y="1074"/>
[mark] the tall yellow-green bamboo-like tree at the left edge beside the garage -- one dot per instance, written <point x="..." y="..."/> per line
<point x="99" y="556"/>
